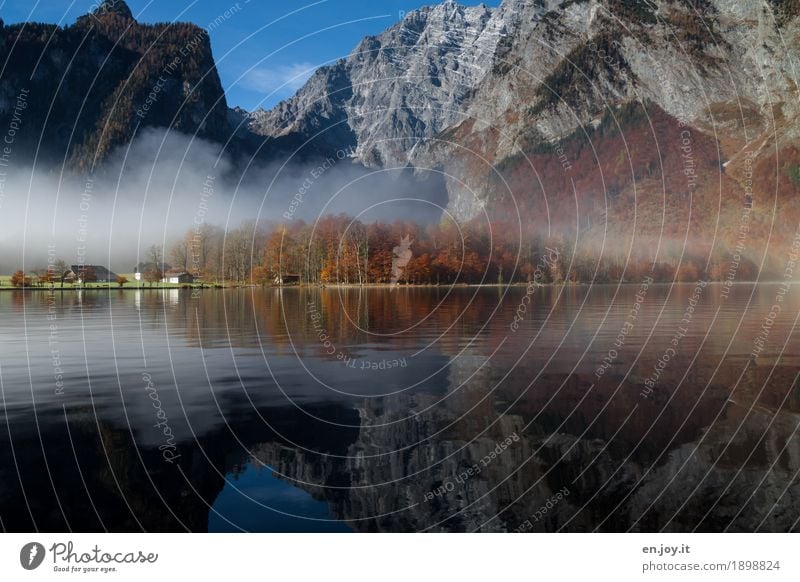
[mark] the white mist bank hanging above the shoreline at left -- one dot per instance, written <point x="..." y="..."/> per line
<point x="165" y="183"/>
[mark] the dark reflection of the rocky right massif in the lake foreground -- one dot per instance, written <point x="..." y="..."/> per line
<point x="607" y="485"/>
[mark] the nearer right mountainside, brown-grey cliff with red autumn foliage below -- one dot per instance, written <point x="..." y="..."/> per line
<point x="664" y="132"/>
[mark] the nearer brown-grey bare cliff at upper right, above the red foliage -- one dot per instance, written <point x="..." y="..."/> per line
<point x="727" y="69"/>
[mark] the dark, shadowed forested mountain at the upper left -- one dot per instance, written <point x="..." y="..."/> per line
<point x="91" y="86"/>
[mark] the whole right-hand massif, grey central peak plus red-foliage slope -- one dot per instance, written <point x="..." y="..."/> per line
<point x="668" y="121"/>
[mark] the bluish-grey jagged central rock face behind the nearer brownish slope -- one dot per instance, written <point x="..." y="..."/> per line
<point x="408" y="83"/>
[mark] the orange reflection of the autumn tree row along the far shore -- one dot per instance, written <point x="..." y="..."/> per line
<point x="349" y="315"/>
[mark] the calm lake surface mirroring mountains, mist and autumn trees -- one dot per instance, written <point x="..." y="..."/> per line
<point x="636" y="408"/>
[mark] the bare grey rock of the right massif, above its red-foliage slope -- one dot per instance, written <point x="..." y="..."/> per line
<point x="567" y="60"/>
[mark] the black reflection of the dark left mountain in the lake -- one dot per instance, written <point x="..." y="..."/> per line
<point x="95" y="476"/>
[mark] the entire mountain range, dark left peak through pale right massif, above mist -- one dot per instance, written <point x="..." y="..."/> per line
<point x="666" y="128"/>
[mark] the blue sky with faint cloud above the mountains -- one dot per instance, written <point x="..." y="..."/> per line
<point x="265" y="49"/>
